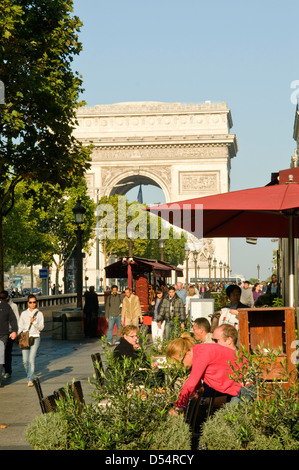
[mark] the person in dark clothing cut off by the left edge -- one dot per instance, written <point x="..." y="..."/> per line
<point x="7" y="321"/>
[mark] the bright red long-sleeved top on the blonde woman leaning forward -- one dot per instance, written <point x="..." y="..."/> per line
<point x="211" y="364"/>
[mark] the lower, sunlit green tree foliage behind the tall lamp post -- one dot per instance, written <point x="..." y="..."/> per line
<point x="45" y="232"/>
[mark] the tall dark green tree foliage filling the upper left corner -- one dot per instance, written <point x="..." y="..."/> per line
<point x="38" y="41"/>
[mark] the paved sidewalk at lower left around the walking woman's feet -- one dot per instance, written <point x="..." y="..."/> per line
<point x="58" y="362"/>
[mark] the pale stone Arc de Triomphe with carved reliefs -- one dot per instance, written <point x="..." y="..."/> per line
<point x="185" y="149"/>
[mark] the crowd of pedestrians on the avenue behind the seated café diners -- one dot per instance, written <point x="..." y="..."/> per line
<point x="167" y="303"/>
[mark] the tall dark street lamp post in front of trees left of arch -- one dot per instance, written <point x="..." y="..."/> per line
<point x="79" y="213"/>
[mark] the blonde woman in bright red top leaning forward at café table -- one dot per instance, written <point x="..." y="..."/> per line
<point x="209" y="363"/>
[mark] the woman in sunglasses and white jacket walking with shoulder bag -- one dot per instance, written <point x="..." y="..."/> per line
<point x="32" y="316"/>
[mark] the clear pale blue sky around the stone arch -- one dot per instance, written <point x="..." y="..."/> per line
<point x="189" y="51"/>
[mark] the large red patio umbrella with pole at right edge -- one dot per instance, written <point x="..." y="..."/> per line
<point x="263" y="212"/>
